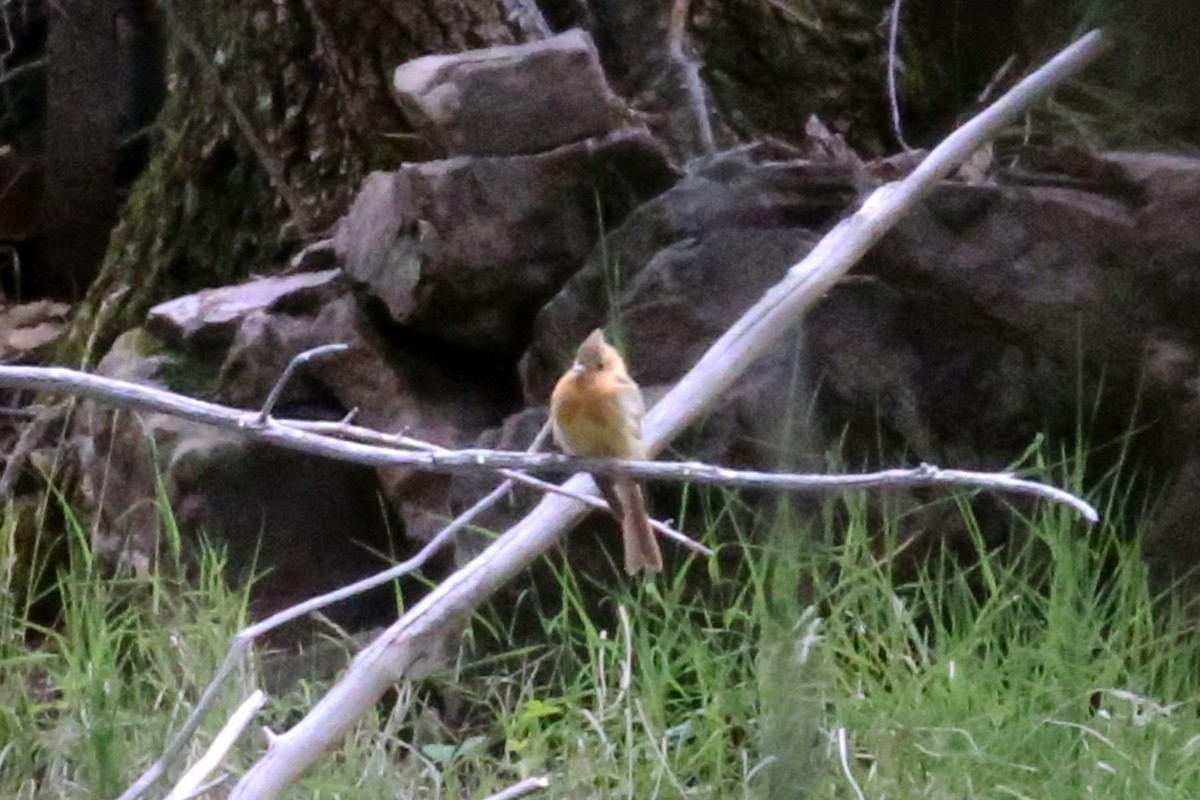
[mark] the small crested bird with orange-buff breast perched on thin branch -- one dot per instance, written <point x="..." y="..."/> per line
<point x="597" y="412"/>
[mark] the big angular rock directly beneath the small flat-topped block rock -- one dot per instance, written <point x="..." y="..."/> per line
<point x="466" y="251"/>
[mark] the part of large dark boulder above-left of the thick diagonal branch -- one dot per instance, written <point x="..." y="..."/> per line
<point x="688" y="263"/>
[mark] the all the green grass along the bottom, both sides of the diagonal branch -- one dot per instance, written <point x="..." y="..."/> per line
<point x="1035" y="671"/>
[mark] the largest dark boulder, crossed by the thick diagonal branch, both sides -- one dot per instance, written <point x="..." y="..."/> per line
<point x="969" y="332"/>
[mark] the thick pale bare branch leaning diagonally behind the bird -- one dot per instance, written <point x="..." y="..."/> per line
<point x="413" y="639"/>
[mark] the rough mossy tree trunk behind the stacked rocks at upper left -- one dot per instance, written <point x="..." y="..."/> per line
<point x="313" y="77"/>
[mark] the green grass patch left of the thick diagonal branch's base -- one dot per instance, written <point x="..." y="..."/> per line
<point x="100" y="689"/>
